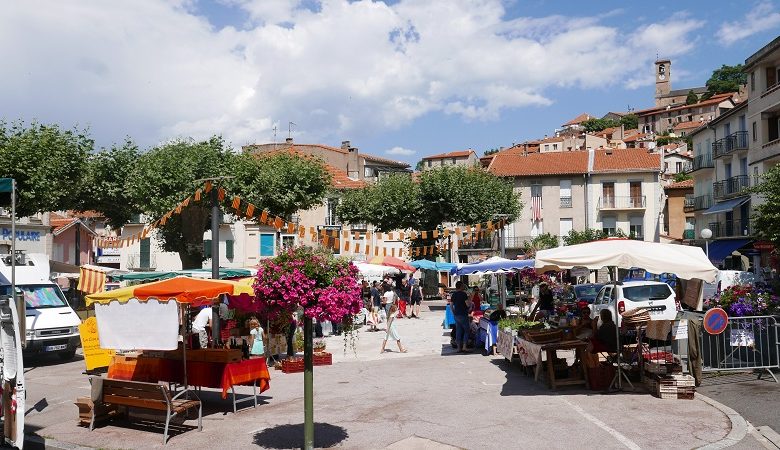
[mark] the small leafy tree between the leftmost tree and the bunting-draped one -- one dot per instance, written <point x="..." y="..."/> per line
<point x="105" y="182"/>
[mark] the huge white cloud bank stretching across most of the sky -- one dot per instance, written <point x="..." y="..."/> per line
<point x="339" y="69"/>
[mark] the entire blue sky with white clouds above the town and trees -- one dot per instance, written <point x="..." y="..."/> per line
<point x="400" y="79"/>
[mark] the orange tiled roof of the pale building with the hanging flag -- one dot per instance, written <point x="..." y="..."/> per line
<point x="539" y="164"/>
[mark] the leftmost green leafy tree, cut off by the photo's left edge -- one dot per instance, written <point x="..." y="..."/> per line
<point x="47" y="163"/>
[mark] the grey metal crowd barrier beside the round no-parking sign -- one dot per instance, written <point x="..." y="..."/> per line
<point x="747" y="343"/>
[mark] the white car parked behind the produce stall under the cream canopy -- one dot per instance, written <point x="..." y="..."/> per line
<point x="635" y="294"/>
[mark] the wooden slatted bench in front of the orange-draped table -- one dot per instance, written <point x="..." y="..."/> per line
<point x="137" y="394"/>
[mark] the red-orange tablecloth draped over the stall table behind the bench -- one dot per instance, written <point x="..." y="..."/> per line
<point x="199" y="373"/>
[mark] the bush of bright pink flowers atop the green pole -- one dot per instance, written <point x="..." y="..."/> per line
<point x="325" y="287"/>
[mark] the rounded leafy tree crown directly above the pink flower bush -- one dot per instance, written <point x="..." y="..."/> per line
<point x="281" y="183"/>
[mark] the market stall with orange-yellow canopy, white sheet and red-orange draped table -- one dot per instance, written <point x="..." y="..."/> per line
<point x="146" y="319"/>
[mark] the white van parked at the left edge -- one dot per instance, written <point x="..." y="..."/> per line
<point x="51" y="324"/>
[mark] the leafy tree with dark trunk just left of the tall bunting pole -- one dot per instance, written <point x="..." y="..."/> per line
<point x="166" y="175"/>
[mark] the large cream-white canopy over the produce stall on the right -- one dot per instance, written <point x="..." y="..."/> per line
<point x="685" y="261"/>
